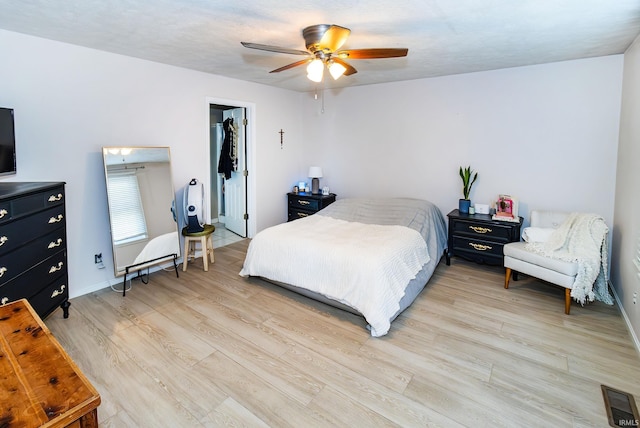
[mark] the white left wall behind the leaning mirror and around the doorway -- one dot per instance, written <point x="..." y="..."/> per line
<point x="70" y="101"/>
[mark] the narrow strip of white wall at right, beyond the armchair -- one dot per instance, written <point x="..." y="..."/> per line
<point x="626" y="227"/>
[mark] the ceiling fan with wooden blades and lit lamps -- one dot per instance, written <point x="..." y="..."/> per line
<point x="323" y="42"/>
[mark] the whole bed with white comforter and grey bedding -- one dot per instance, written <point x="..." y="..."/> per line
<point x="371" y="257"/>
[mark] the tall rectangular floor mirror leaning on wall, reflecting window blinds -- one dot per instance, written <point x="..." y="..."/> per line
<point x="141" y="203"/>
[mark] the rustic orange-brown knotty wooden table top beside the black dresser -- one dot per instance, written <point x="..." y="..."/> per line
<point x="39" y="383"/>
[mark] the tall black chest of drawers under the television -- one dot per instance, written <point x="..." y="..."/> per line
<point x="33" y="245"/>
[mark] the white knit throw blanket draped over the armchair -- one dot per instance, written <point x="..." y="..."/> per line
<point x="581" y="238"/>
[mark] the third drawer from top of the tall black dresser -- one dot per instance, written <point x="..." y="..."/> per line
<point x="17" y="262"/>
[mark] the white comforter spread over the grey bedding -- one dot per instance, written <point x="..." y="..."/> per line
<point x="365" y="266"/>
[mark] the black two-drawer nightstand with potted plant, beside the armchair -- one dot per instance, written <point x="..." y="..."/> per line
<point x="479" y="238"/>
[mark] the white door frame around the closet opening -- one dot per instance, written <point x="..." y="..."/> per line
<point x="250" y="143"/>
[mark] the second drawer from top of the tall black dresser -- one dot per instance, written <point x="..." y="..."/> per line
<point x="15" y="234"/>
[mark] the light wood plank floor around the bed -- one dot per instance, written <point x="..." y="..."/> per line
<point x="214" y="349"/>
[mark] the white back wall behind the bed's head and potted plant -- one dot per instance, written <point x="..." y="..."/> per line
<point x="546" y="134"/>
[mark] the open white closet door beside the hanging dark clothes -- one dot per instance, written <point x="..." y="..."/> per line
<point x="236" y="187"/>
